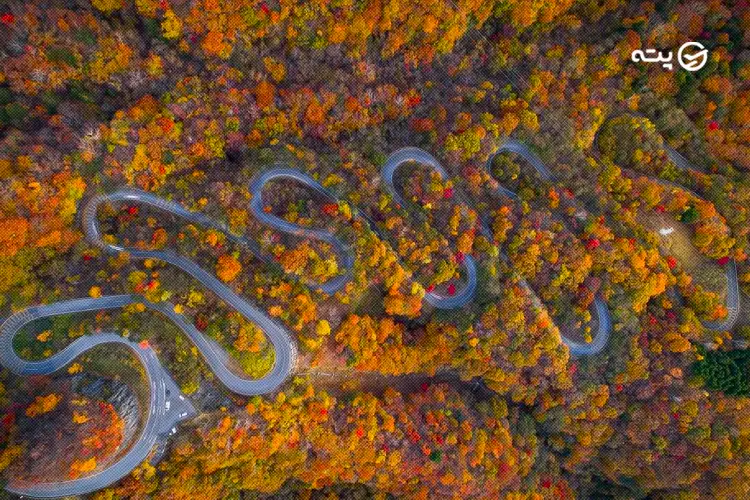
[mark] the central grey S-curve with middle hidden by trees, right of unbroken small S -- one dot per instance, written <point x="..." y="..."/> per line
<point x="388" y="171"/>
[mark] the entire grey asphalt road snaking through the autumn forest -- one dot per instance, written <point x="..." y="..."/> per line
<point x="167" y="406"/>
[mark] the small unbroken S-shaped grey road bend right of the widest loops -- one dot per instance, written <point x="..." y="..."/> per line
<point x="343" y="252"/>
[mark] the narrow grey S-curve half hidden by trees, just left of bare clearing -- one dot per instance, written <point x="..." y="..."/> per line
<point x="600" y="306"/>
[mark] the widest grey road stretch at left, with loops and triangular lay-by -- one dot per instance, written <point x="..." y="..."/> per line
<point x="164" y="412"/>
